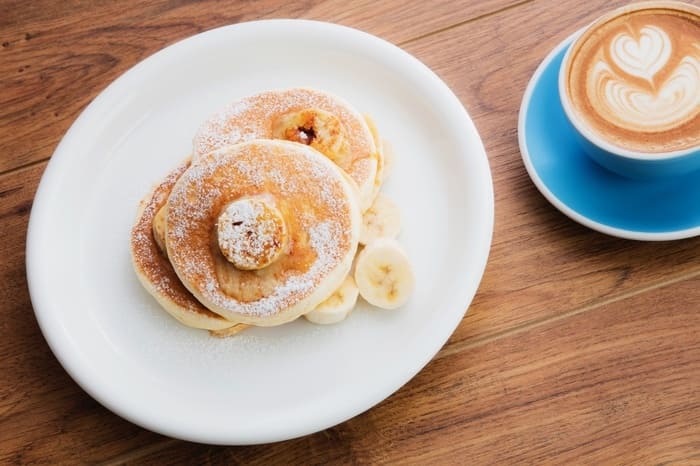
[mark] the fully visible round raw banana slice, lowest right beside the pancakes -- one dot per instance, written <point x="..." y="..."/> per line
<point x="383" y="274"/>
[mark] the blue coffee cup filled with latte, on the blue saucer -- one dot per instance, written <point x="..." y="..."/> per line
<point x="630" y="86"/>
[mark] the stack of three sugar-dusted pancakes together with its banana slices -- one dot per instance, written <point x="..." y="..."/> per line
<point x="263" y="223"/>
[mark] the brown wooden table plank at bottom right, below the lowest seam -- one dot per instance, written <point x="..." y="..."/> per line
<point x="615" y="385"/>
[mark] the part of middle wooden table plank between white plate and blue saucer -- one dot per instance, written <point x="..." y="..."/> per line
<point x="542" y="264"/>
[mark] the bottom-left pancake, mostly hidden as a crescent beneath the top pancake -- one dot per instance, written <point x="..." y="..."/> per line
<point x="154" y="270"/>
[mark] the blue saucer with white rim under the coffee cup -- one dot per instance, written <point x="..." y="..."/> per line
<point x="591" y="195"/>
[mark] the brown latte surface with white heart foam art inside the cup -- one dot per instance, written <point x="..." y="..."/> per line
<point x="635" y="80"/>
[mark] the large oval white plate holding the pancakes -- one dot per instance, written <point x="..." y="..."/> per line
<point x="266" y="384"/>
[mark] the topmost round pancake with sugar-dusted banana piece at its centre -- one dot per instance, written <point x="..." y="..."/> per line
<point x="262" y="232"/>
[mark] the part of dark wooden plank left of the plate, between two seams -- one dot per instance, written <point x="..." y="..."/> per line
<point x="44" y="415"/>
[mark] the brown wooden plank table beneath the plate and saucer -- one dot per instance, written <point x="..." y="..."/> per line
<point x="578" y="348"/>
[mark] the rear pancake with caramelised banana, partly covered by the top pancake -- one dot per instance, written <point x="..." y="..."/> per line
<point x="323" y="121"/>
